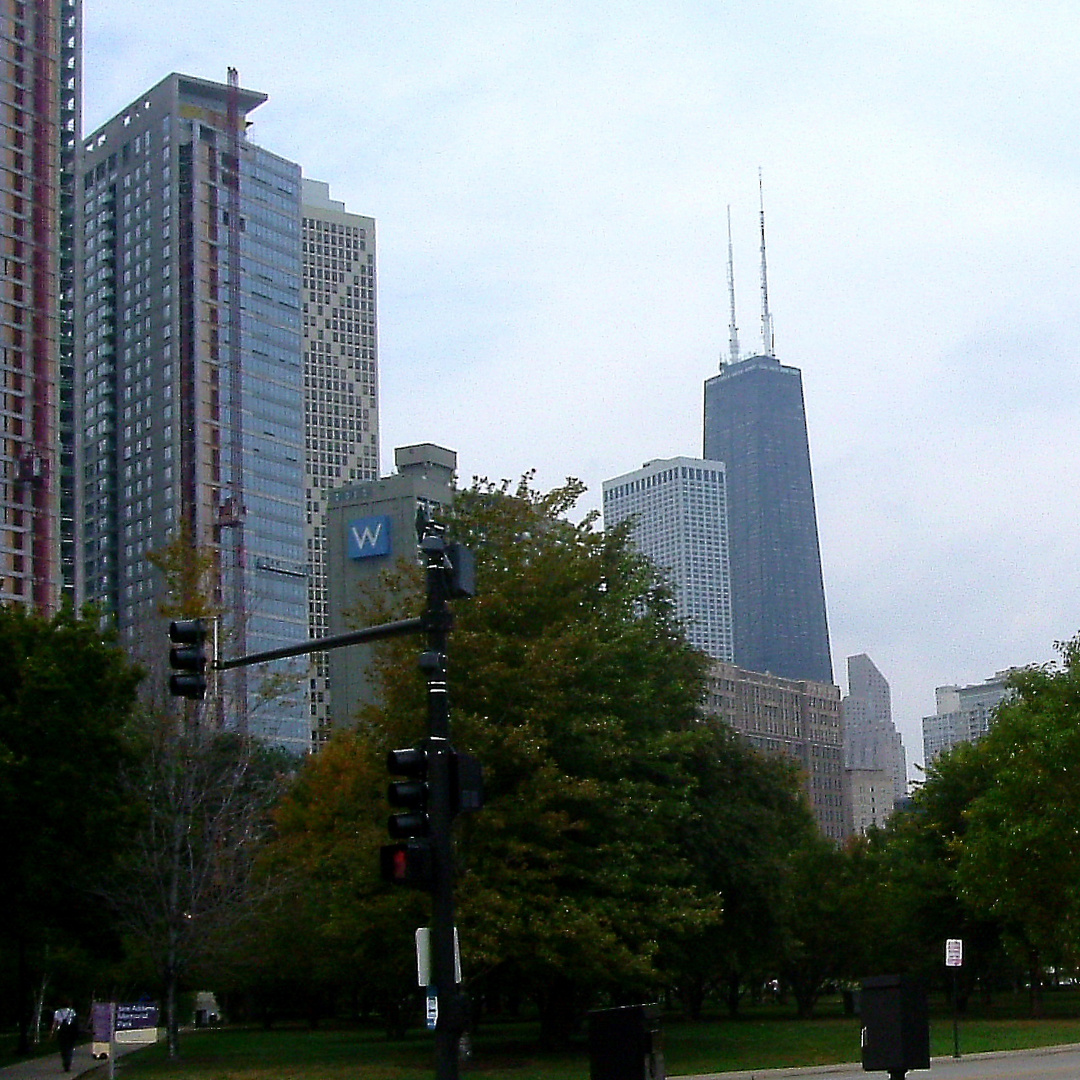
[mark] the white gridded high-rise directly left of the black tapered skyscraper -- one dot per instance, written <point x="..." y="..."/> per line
<point x="681" y="523"/>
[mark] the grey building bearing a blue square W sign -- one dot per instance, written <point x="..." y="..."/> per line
<point x="371" y="528"/>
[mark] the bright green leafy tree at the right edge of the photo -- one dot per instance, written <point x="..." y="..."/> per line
<point x="1020" y="859"/>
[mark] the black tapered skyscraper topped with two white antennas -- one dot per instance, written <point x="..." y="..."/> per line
<point x="755" y="423"/>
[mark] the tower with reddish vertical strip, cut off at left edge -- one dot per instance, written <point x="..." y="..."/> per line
<point x="40" y="42"/>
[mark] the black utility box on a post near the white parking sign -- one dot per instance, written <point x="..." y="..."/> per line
<point x="896" y="1018"/>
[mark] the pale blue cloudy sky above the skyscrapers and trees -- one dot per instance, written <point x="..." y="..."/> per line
<point x="550" y="181"/>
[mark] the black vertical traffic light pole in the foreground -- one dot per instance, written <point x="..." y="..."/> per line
<point x="451" y="1020"/>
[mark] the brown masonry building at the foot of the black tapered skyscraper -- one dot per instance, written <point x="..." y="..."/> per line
<point x="800" y="719"/>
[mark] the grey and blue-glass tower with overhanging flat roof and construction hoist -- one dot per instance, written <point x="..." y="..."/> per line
<point x="193" y="379"/>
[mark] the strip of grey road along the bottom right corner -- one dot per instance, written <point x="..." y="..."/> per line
<point x="1050" y="1063"/>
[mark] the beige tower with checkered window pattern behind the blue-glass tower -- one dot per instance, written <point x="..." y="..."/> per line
<point x="342" y="409"/>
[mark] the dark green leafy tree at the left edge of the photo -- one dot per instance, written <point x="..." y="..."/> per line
<point x="66" y="693"/>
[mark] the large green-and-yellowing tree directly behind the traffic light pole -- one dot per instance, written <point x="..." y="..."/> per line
<point x="573" y="684"/>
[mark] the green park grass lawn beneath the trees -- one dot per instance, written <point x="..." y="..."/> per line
<point x="771" y="1039"/>
